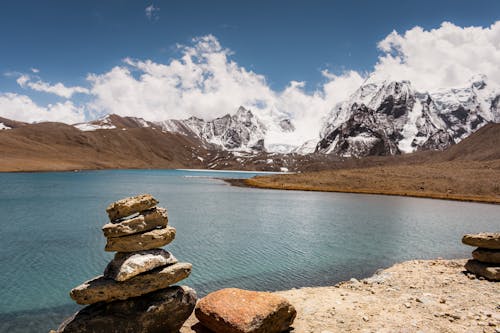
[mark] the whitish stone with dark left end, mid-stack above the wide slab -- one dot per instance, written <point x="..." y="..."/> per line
<point x="126" y="265"/>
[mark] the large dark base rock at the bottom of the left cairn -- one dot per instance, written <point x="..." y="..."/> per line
<point x="158" y="312"/>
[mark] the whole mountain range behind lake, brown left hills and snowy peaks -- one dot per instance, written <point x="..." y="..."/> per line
<point x="379" y="118"/>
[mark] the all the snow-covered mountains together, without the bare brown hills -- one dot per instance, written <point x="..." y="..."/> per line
<point x="379" y="118"/>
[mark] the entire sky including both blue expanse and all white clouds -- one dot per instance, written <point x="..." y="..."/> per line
<point x="74" y="61"/>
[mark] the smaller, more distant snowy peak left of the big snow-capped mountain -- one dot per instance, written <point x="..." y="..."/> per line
<point x="242" y="131"/>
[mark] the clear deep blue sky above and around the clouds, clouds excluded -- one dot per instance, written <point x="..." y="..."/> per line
<point x="282" y="40"/>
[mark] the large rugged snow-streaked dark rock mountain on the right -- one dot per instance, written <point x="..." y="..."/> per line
<point x="389" y="118"/>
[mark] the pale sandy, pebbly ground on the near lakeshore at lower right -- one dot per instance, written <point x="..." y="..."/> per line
<point x="414" y="296"/>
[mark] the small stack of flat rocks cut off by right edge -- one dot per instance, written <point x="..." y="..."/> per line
<point x="486" y="262"/>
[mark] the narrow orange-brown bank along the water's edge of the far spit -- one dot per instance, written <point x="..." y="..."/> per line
<point x="252" y="183"/>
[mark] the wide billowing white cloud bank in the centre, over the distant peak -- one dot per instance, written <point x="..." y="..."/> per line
<point x="206" y="83"/>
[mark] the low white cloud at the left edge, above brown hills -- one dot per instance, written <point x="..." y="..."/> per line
<point x="22" y="108"/>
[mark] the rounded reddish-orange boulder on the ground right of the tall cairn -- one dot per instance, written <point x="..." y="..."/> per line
<point x="242" y="311"/>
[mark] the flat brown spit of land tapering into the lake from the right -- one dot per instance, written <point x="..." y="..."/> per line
<point x="462" y="181"/>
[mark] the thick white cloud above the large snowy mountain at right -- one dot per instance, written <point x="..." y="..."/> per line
<point x="440" y="58"/>
